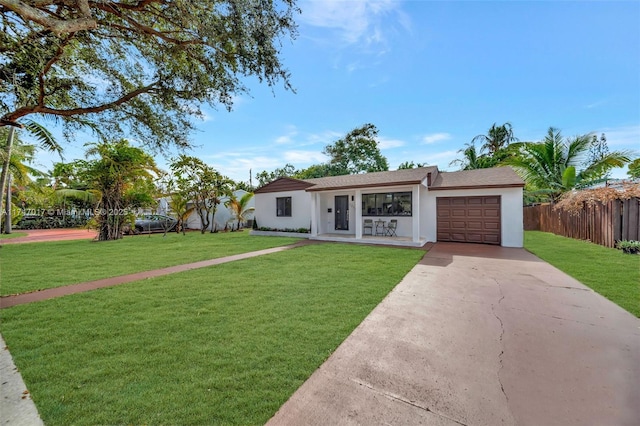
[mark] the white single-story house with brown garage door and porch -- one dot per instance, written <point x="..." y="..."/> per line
<point x="402" y="207"/>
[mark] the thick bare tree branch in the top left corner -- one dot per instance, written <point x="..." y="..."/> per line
<point x="57" y="26"/>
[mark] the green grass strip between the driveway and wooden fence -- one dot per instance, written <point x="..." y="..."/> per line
<point x="610" y="272"/>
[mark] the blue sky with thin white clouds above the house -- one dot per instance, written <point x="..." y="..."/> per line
<point x="431" y="75"/>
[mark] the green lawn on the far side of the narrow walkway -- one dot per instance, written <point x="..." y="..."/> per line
<point x="36" y="266"/>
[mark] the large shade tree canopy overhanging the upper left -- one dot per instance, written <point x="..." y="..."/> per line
<point x="140" y="69"/>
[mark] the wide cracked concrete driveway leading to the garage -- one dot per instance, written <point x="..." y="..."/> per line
<point x="480" y="335"/>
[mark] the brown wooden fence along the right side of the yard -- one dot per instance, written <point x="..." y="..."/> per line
<point x="600" y="223"/>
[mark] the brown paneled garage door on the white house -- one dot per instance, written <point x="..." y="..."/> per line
<point x="469" y="219"/>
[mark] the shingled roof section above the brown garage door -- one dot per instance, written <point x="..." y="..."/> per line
<point x="497" y="177"/>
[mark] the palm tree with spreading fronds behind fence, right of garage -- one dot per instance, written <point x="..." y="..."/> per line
<point x="556" y="165"/>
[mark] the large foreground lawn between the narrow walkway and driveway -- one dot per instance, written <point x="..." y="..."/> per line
<point x="226" y="344"/>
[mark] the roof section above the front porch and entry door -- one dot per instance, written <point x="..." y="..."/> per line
<point x="390" y="178"/>
